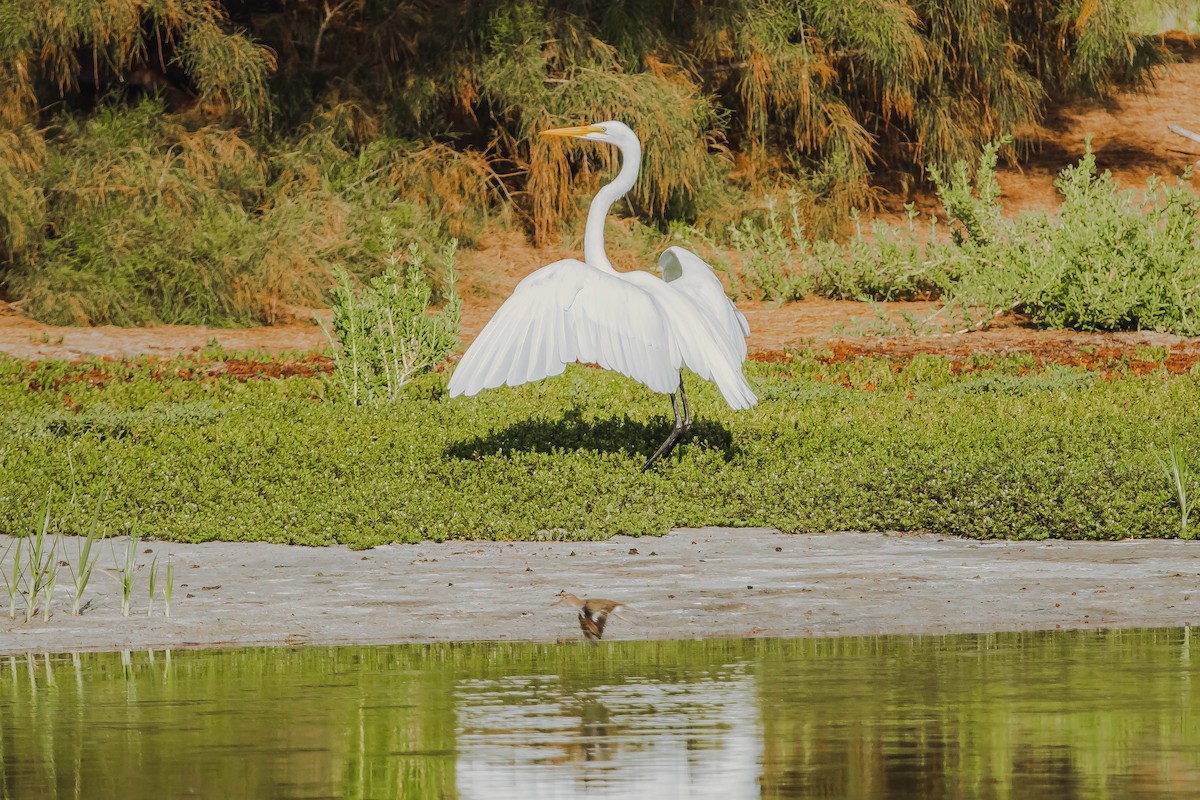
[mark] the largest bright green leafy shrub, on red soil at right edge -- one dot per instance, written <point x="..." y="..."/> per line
<point x="1109" y="260"/>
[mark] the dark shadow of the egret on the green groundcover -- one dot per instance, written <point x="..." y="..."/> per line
<point x="605" y="436"/>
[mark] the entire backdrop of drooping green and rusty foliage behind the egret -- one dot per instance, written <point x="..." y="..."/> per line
<point x="213" y="161"/>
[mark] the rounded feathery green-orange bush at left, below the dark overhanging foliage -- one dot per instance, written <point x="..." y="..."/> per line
<point x="131" y="218"/>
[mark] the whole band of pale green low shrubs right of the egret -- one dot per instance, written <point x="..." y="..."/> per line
<point x="1109" y="260"/>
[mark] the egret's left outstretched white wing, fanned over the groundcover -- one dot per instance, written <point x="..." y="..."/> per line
<point x="569" y="312"/>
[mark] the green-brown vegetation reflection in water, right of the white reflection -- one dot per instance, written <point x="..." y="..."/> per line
<point x="1004" y="715"/>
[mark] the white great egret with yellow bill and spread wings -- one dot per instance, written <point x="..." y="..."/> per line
<point x="633" y="323"/>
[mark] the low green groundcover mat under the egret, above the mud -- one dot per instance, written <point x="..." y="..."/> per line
<point x="987" y="448"/>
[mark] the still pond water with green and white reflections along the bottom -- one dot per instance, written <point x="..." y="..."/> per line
<point x="1099" y="714"/>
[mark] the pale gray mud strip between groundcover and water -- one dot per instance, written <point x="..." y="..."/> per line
<point x="703" y="584"/>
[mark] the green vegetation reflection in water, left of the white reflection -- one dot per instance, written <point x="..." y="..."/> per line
<point x="254" y="724"/>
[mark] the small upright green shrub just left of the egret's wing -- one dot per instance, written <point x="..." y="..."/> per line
<point x="385" y="335"/>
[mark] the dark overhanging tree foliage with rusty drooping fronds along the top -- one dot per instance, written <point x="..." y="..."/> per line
<point x="848" y="87"/>
